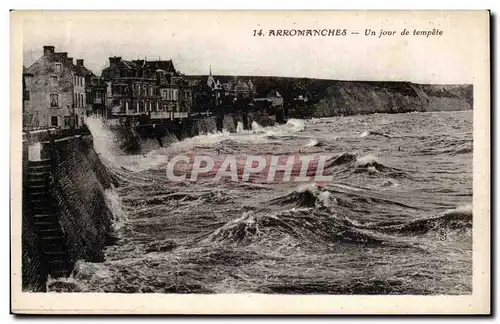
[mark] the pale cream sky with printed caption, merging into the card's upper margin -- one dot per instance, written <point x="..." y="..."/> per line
<point x="224" y="40"/>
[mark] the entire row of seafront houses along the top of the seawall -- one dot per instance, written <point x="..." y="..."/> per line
<point x="60" y="92"/>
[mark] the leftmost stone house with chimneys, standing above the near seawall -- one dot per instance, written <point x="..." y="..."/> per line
<point x="56" y="90"/>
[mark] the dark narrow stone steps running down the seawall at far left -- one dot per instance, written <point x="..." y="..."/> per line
<point x="46" y="219"/>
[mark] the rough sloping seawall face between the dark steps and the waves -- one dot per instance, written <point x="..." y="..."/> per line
<point x="79" y="182"/>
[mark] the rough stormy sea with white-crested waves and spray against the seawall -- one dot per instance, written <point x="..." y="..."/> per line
<point x="395" y="219"/>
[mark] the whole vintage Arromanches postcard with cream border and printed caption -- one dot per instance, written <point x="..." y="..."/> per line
<point x="250" y="162"/>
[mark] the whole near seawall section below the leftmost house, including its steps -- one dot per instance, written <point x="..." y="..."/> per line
<point x="65" y="216"/>
